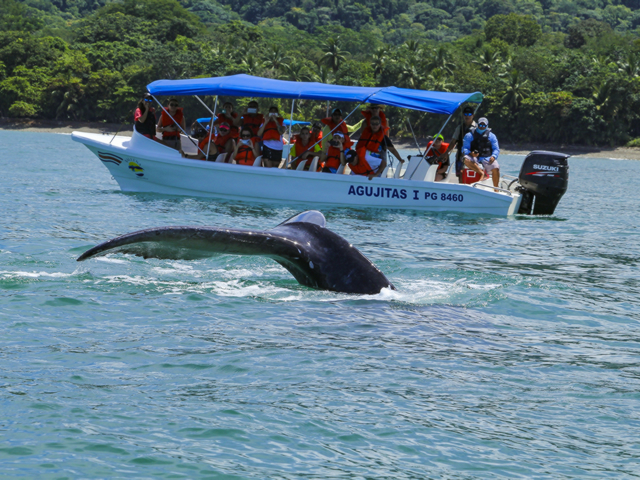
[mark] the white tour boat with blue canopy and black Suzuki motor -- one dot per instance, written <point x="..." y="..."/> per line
<point x="140" y="164"/>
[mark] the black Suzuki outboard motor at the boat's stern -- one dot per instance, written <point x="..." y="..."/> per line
<point x="543" y="178"/>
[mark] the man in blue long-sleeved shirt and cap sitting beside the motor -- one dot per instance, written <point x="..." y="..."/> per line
<point x="480" y="149"/>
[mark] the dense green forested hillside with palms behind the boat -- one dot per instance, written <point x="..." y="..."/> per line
<point x="552" y="71"/>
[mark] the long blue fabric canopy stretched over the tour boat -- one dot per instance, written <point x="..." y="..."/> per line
<point x="250" y="86"/>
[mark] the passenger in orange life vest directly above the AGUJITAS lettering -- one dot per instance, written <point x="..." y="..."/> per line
<point x="371" y="149"/>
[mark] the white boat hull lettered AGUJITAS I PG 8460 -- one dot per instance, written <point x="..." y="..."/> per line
<point x="140" y="165"/>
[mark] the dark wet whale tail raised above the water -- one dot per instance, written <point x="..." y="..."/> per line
<point x="314" y="255"/>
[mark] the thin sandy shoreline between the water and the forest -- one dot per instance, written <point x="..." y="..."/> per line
<point x="52" y="126"/>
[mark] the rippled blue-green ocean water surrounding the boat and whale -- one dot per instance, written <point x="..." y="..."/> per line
<point x="509" y="350"/>
